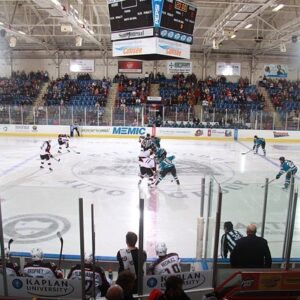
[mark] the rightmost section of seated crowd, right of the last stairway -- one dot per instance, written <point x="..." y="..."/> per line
<point x="285" y="94"/>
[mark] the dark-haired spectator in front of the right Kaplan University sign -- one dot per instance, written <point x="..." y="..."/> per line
<point x="174" y="290"/>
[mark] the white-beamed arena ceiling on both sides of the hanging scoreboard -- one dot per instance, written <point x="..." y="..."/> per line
<point x="37" y="25"/>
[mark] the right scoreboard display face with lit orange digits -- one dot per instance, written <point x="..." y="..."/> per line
<point x="178" y="16"/>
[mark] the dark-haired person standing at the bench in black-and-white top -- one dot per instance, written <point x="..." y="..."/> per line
<point x="128" y="258"/>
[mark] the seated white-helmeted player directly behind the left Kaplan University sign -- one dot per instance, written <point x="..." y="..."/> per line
<point x="37" y="268"/>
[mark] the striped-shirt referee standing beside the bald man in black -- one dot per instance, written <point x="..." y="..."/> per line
<point x="229" y="239"/>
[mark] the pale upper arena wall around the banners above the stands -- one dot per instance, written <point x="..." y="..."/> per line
<point x="253" y="69"/>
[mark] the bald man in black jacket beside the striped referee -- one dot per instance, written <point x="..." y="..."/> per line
<point x="251" y="251"/>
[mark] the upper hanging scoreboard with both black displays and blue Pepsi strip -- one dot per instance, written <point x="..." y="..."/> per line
<point x="171" y="19"/>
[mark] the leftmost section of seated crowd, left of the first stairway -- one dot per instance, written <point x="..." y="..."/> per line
<point x="22" y="88"/>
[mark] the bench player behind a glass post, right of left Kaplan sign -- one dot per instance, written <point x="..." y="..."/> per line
<point x="101" y="282"/>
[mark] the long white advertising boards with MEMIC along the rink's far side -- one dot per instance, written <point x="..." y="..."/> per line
<point x="164" y="132"/>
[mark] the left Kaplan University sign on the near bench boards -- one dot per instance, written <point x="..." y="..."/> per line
<point x="37" y="287"/>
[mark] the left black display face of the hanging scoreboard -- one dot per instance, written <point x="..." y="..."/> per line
<point x="130" y="14"/>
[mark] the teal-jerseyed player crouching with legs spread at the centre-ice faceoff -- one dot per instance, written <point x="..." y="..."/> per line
<point x="165" y="166"/>
